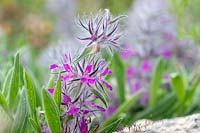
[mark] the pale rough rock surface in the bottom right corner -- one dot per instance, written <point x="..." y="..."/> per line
<point x="187" y="124"/>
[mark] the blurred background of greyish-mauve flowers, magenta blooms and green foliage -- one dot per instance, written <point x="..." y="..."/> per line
<point x="154" y="29"/>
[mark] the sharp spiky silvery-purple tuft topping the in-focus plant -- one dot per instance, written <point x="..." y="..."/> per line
<point x="102" y="29"/>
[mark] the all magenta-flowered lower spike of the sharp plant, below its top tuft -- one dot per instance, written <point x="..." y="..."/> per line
<point x="78" y="80"/>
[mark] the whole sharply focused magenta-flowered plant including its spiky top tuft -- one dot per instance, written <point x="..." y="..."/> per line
<point x="80" y="85"/>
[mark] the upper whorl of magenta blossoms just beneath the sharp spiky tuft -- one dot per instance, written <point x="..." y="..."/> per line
<point x="90" y="72"/>
